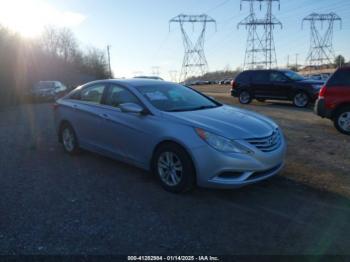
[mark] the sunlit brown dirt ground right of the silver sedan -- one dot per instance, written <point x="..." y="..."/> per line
<point x="318" y="155"/>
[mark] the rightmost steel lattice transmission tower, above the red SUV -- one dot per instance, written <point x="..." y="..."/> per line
<point x="321" y="43"/>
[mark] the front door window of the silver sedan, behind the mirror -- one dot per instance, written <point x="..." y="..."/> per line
<point x="118" y="95"/>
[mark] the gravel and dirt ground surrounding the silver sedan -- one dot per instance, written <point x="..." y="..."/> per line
<point x="52" y="203"/>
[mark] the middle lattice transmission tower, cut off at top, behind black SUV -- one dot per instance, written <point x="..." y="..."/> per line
<point x="260" y="49"/>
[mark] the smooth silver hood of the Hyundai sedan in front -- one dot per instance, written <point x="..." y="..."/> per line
<point x="227" y="121"/>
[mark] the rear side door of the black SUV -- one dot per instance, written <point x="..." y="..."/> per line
<point x="261" y="84"/>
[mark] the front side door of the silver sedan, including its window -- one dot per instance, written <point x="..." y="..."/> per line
<point x="127" y="136"/>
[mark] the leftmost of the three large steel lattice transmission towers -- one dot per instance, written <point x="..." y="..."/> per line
<point x="194" y="62"/>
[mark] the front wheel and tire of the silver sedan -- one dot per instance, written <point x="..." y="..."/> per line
<point x="174" y="168"/>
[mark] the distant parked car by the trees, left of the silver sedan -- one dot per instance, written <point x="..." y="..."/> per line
<point x="48" y="90"/>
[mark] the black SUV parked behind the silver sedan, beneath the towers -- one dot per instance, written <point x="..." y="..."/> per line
<point x="275" y="85"/>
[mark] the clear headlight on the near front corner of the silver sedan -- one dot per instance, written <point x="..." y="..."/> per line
<point x="221" y="143"/>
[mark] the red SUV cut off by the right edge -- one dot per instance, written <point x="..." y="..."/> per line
<point x="334" y="100"/>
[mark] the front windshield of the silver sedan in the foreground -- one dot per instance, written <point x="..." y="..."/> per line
<point x="176" y="98"/>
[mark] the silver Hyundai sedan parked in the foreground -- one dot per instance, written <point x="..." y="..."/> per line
<point x="183" y="136"/>
